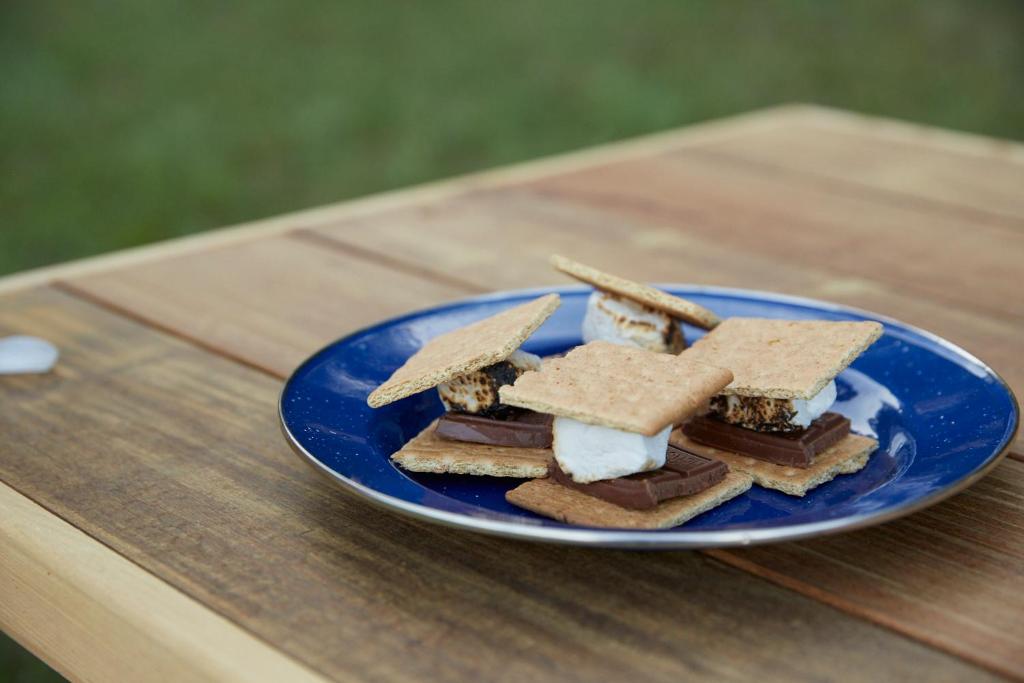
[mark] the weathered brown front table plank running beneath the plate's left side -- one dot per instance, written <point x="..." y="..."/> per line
<point x="134" y="443"/>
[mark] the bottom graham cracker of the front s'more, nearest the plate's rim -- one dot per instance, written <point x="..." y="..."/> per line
<point x="568" y="505"/>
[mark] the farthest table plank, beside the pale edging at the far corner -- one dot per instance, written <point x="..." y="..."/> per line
<point x="984" y="182"/>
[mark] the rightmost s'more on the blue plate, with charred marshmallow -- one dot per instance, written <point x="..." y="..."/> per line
<point x="774" y="420"/>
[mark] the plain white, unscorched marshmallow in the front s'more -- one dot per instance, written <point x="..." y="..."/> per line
<point x="591" y="453"/>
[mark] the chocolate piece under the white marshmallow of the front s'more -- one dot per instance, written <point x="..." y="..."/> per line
<point x="684" y="475"/>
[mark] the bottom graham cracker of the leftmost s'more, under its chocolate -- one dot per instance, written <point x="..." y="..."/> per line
<point x="431" y="453"/>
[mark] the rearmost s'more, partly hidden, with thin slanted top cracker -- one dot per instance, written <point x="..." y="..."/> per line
<point x="630" y="314"/>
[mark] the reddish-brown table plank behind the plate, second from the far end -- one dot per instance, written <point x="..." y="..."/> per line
<point x="944" y="259"/>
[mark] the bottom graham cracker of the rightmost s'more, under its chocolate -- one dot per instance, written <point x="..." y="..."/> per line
<point x="847" y="457"/>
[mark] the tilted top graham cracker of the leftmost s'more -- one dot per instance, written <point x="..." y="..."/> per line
<point x="479" y="346"/>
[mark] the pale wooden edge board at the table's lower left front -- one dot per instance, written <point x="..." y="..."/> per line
<point x="95" y="616"/>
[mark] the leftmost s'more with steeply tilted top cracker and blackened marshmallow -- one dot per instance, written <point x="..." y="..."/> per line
<point x="468" y="367"/>
